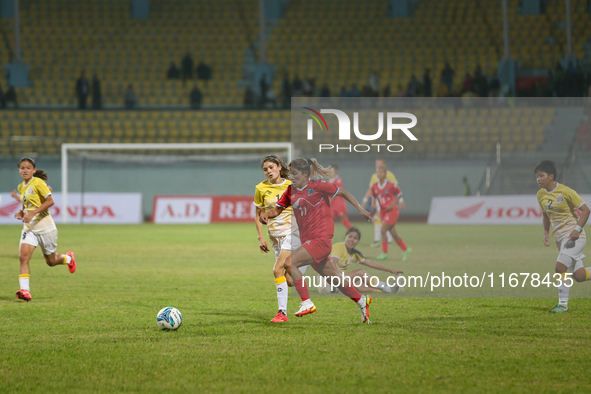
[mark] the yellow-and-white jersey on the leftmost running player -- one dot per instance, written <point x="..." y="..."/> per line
<point x="33" y="195"/>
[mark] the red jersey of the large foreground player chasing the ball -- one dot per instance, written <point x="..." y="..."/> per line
<point x="311" y="208"/>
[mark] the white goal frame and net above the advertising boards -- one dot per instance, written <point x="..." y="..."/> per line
<point x="165" y="169"/>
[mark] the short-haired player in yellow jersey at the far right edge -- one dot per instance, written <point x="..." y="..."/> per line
<point x="559" y="204"/>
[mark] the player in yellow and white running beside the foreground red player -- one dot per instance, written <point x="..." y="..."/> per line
<point x="282" y="230"/>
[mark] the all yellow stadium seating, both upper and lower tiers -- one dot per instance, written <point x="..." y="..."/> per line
<point x="62" y="37"/>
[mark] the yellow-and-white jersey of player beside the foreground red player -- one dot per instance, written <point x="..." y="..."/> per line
<point x="265" y="197"/>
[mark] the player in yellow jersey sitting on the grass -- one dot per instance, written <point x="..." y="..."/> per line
<point x="344" y="255"/>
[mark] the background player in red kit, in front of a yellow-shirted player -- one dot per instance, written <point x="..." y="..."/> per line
<point x="388" y="196"/>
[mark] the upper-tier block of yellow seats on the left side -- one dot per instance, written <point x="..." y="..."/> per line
<point x="62" y="37"/>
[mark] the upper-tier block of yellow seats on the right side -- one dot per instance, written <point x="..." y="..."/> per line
<point x="464" y="32"/>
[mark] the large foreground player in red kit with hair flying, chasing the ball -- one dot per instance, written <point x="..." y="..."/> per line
<point x="309" y="199"/>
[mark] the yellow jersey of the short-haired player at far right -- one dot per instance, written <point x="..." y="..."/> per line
<point x="559" y="205"/>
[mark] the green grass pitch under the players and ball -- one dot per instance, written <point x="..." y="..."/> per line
<point x="95" y="331"/>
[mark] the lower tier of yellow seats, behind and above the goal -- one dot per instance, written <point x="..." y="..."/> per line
<point x="441" y="131"/>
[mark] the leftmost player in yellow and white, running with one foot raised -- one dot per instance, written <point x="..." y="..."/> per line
<point x="39" y="228"/>
